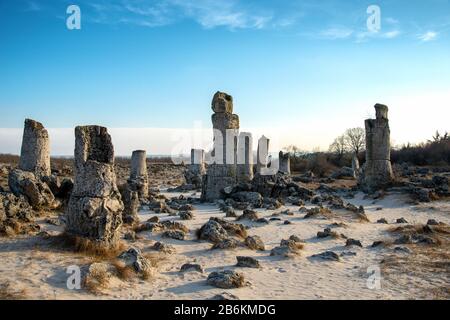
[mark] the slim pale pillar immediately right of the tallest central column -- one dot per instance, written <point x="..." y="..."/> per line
<point x="245" y="157"/>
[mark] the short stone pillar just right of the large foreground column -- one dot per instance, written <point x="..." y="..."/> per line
<point x="138" y="180"/>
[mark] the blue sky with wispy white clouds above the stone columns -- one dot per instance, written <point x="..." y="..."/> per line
<point x="295" y="65"/>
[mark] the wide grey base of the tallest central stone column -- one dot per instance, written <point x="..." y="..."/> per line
<point x="218" y="177"/>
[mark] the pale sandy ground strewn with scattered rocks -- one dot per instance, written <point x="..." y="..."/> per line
<point x="28" y="263"/>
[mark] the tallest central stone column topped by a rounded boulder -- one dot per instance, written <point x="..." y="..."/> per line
<point x="222" y="172"/>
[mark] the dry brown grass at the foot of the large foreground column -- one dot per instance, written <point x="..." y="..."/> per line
<point x="87" y="246"/>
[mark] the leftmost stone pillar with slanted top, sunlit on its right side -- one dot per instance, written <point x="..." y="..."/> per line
<point x="35" y="152"/>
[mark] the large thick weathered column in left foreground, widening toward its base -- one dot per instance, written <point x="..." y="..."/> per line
<point x="95" y="206"/>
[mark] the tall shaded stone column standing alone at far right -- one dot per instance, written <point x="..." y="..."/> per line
<point x="377" y="169"/>
